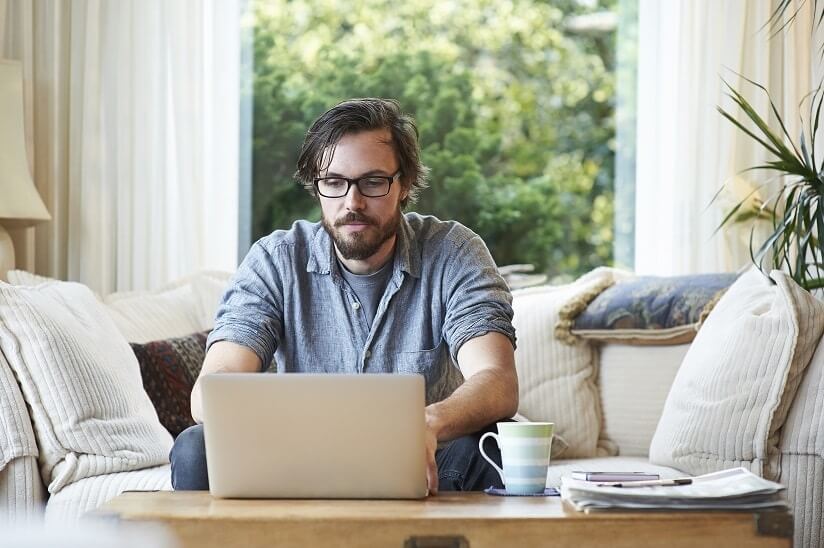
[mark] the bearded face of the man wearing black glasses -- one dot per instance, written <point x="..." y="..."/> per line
<point x="361" y="226"/>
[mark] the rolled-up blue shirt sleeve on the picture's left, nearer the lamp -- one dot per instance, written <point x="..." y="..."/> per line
<point x="251" y="312"/>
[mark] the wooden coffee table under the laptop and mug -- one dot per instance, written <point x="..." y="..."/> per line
<point x="458" y="520"/>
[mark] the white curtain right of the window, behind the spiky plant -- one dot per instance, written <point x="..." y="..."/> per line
<point x="685" y="149"/>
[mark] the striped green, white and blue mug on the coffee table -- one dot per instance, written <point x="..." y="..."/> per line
<point x="525" y="448"/>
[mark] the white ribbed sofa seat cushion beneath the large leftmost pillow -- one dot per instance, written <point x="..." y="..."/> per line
<point x="90" y="493"/>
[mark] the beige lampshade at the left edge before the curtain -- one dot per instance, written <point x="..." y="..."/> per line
<point x="20" y="204"/>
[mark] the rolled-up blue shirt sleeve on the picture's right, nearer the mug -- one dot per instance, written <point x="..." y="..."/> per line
<point x="478" y="299"/>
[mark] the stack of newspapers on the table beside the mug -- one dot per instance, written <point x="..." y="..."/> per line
<point x="734" y="489"/>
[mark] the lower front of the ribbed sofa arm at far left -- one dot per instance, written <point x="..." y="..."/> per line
<point x="22" y="495"/>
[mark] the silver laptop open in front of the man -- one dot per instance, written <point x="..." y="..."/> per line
<point x="315" y="436"/>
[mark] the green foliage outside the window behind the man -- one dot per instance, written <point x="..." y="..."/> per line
<point x="515" y="115"/>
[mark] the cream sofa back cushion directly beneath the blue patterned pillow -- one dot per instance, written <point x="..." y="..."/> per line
<point x="634" y="382"/>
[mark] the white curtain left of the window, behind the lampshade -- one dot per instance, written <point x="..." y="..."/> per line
<point x="132" y="118"/>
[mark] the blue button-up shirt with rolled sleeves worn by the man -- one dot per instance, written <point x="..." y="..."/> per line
<point x="288" y="299"/>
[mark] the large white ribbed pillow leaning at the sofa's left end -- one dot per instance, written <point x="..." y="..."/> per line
<point x="82" y="381"/>
